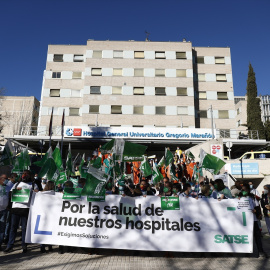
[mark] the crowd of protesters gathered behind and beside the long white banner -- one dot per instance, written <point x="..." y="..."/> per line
<point x="187" y="181"/>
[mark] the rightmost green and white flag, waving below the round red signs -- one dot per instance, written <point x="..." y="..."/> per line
<point x="211" y="163"/>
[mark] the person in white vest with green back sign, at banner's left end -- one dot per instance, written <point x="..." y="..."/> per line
<point x="20" y="210"/>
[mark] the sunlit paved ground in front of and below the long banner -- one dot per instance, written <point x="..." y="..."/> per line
<point x="82" y="258"/>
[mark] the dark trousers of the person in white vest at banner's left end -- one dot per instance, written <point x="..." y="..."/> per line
<point x="15" y="220"/>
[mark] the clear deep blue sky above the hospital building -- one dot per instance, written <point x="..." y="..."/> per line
<point x="29" y="26"/>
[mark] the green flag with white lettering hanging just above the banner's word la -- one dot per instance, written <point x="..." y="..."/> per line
<point x="94" y="188"/>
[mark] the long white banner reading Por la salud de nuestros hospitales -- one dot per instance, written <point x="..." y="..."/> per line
<point x="203" y="225"/>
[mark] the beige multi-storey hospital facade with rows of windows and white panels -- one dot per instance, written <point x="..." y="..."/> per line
<point x="138" y="84"/>
